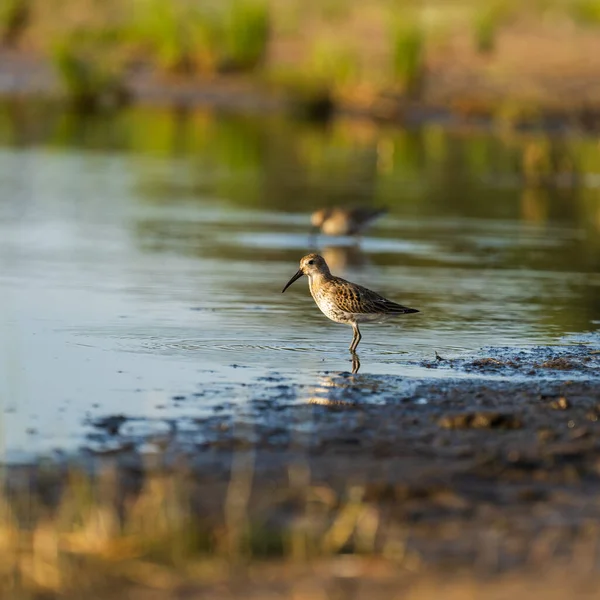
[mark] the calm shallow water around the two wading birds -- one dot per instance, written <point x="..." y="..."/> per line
<point x="143" y="256"/>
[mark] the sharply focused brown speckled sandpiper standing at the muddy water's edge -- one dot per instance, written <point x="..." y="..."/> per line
<point x="343" y="301"/>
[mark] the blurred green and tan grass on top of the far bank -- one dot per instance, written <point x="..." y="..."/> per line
<point x="319" y="47"/>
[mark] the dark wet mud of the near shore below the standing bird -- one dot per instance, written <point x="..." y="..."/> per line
<point x="500" y="470"/>
